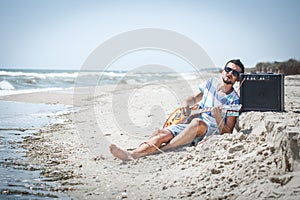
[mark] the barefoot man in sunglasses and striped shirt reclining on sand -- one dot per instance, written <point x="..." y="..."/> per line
<point x="213" y="94"/>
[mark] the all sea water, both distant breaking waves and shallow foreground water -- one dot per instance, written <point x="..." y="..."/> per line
<point x="19" y="120"/>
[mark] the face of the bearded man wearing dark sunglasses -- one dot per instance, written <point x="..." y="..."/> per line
<point x="230" y="74"/>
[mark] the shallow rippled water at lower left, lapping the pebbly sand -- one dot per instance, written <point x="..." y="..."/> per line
<point x="19" y="176"/>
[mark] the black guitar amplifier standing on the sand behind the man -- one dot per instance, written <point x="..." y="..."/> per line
<point x="262" y="92"/>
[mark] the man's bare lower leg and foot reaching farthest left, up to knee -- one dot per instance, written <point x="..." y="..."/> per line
<point x="146" y="148"/>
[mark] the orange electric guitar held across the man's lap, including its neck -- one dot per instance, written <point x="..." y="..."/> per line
<point x="177" y="117"/>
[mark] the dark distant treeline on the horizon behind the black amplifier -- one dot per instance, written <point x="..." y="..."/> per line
<point x="287" y="67"/>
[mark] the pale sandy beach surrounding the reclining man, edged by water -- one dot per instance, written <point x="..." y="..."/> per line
<point x="259" y="160"/>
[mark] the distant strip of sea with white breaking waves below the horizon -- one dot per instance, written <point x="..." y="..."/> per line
<point x="16" y="81"/>
